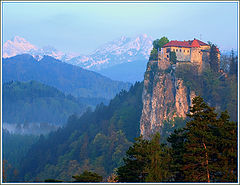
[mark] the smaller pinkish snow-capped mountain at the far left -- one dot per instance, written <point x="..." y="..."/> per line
<point x="19" y="45"/>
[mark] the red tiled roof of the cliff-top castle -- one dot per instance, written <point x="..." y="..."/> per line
<point x="186" y="44"/>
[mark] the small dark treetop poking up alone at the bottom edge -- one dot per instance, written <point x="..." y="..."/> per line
<point x="87" y="176"/>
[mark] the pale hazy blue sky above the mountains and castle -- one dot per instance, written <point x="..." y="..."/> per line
<point x="82" y="27"/>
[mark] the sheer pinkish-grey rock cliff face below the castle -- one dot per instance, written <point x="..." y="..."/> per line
<point x="164" y="97"/>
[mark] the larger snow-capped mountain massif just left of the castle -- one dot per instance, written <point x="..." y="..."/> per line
<point x="120" y="51"/>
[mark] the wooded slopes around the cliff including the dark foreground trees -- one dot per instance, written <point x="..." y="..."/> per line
<point x="104" y="145"/>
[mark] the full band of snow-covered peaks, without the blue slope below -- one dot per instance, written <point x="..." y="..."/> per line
<point x="120" y="51"/>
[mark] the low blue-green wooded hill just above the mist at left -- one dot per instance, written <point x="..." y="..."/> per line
<point x="27" y="102"/>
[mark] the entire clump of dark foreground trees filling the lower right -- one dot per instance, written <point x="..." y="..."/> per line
<point x="205" y="150"/>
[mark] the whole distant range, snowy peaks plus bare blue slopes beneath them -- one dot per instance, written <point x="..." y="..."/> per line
<point x="104" y="60"/>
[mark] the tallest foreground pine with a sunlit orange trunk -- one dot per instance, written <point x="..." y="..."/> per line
<point x="199" y="144"/>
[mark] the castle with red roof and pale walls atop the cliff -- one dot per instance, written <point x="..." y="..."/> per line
<point x="194" y="52"/>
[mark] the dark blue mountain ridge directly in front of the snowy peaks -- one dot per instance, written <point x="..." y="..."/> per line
<point x="67" y="78"/>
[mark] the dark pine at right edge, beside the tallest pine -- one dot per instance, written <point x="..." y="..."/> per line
<point x="226" y="165"/>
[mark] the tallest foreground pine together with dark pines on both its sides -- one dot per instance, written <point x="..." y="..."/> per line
<point x="202" y="146"/>
